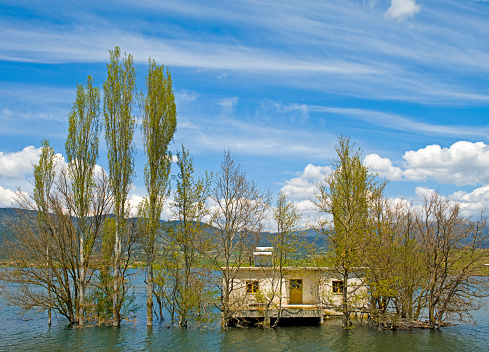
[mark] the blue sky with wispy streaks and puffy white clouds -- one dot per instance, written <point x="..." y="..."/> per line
<point x="275" y="82"/>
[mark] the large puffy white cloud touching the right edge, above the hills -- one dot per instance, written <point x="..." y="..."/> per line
<point x="463" y="163"/>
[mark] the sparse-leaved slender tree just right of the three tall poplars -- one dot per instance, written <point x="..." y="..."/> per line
<point x="182" y="285"/>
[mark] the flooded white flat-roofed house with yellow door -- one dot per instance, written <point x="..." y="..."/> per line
<point x="303" y="292"/>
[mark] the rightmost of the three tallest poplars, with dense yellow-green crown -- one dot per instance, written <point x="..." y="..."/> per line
<point x="158" y="126"/>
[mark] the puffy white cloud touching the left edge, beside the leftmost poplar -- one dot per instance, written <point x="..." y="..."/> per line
<point x="19" y="164"/>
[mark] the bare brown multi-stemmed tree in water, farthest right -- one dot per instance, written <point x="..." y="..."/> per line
<point x="452" y="252"/>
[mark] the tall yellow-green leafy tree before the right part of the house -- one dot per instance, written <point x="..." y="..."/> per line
<point x="346" y="196"/>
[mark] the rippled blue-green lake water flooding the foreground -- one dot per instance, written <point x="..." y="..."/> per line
<point x="30" y="332"/>
